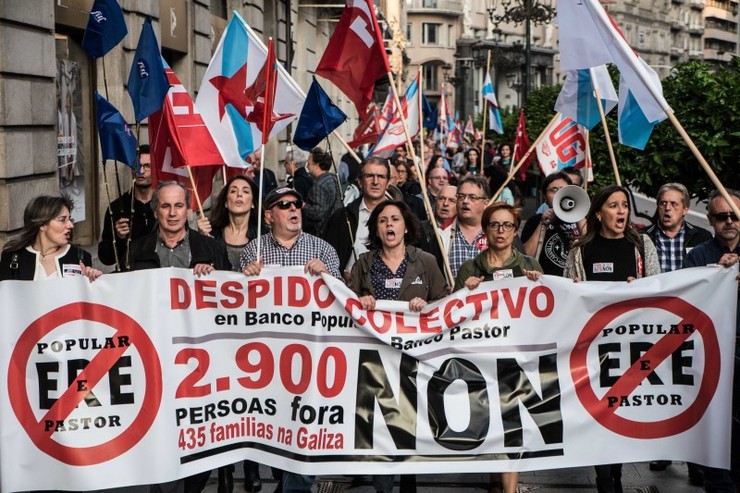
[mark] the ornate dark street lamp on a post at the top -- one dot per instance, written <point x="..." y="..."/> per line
<point x="528" y="12"/>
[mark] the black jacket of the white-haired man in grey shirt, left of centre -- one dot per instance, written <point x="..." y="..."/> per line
<point x="203" y="250"/>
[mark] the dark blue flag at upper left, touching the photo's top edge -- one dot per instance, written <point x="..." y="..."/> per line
<point x="105" y="28"/>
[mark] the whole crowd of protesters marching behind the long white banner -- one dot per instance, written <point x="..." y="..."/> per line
<point x="378" y="224"/>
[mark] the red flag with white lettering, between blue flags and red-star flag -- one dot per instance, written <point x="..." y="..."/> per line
<point x="179" y="138"/>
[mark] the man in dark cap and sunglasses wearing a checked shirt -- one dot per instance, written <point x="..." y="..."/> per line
<point x="287" y="245"/>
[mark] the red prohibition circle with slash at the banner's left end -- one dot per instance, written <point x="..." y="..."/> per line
<point x="92" y="374"/>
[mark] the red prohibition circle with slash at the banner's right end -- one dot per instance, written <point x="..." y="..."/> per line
<point x="634" y="375"/>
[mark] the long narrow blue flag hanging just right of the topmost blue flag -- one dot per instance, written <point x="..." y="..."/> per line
<point x="147" y="82"/>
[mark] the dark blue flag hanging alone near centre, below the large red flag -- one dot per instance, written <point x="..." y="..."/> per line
<point x="319" y="117"/>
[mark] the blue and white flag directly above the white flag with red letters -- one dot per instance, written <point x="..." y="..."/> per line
<point x="577" y="100"/>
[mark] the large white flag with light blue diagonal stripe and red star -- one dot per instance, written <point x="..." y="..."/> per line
<point x="232" y="94"/>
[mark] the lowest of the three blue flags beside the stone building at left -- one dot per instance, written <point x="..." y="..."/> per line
<point x="117" y="141"/>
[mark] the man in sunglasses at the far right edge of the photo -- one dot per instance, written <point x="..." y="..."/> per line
<point x="723" y="249"/>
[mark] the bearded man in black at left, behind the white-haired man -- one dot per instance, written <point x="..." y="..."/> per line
<point x="130" y="219"/>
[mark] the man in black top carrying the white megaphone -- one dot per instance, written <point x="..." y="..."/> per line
<point x="556" y="235"/>
